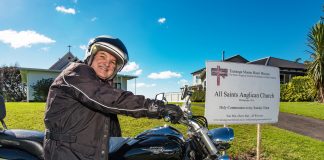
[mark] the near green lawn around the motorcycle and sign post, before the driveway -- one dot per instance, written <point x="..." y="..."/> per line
<point x="277" y="144"/>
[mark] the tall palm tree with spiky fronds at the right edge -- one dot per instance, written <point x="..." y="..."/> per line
<point x="316" y="65"/>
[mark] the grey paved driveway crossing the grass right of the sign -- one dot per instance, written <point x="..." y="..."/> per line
<point x="302" y="125"/>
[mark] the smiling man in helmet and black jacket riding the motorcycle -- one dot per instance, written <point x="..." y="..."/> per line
<point x="82" y="104"/>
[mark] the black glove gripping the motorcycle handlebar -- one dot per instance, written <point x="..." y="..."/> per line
<point x="173" y="111"/>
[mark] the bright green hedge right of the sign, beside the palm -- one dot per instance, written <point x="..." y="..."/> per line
<point x="300" y="88"/>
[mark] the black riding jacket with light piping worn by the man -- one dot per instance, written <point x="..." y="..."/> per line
<point x="80" y="114"/>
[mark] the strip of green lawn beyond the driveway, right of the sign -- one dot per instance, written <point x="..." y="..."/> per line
<point x="307" y="109"/>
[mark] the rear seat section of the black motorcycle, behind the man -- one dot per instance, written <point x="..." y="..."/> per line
<point x="27" y="140"/>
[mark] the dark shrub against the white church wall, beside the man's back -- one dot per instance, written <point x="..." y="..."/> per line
<point x="41" y="89"/>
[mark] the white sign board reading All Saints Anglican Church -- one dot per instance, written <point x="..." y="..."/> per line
<point x="241" y="93"/>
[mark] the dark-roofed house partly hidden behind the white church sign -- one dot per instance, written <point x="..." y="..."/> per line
<point x="288" y="69"/>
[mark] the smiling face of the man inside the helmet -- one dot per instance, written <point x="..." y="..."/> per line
<point x="104" y="64"/>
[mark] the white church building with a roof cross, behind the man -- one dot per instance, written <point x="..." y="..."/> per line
<point x="30" y="76"/>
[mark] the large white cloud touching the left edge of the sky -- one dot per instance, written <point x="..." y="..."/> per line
<point x="23" y="38"/>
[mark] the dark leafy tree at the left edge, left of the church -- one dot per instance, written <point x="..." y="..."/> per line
<point x="11" y="86"/>
